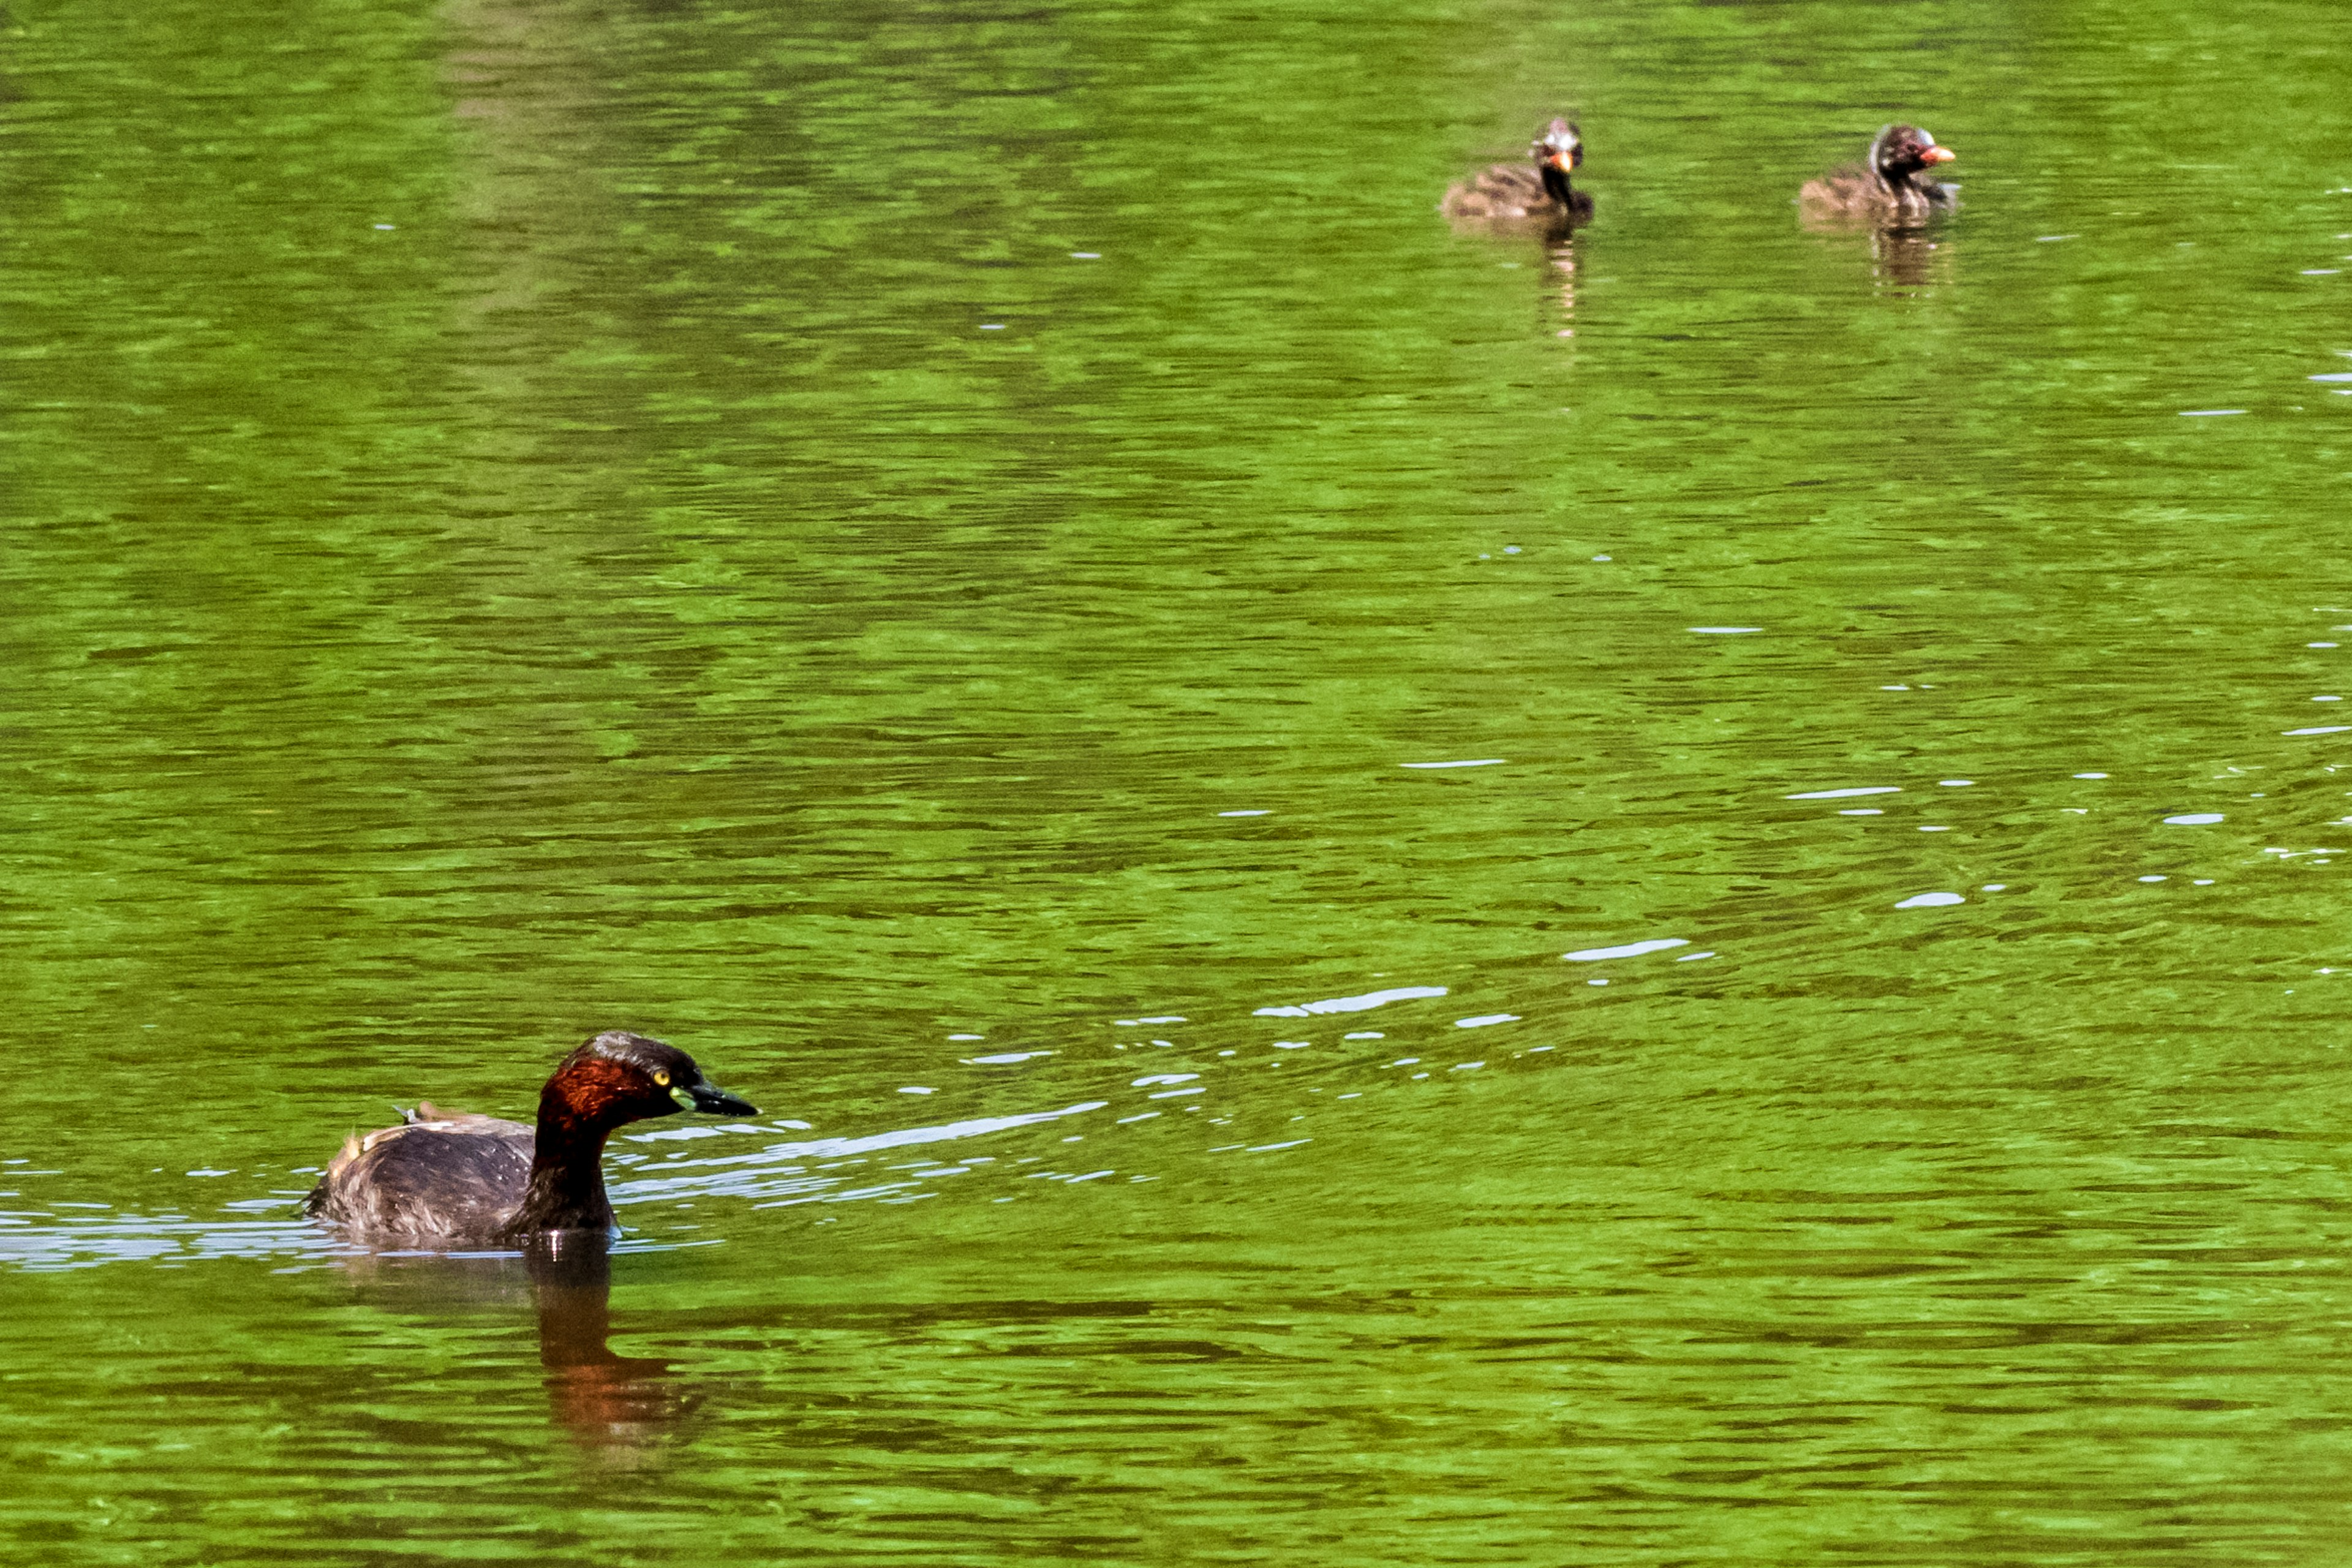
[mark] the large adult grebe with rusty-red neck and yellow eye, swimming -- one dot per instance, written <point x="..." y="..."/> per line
<point x="446" y="1177"/>
